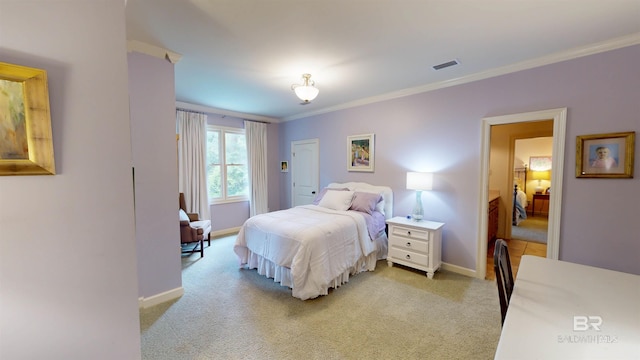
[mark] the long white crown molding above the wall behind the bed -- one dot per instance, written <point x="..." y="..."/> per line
<point x="612" y="44"/>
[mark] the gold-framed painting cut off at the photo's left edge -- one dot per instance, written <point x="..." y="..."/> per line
<point x="26" y="144"/>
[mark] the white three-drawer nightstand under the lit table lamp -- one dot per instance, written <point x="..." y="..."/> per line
<point x="417" y="244"/>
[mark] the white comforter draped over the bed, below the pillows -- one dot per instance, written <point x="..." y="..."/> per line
<point x="317" y="244"/>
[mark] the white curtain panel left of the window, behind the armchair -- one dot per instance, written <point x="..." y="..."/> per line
<point x="192" y="160"/>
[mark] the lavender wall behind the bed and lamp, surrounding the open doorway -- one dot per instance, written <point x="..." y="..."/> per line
<point x="439" y="131"/>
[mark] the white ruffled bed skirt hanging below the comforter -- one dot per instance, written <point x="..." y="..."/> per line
<point x="283" y="276"/>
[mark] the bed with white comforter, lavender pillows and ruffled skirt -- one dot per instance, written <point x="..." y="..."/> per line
<point x="312" y="248"/>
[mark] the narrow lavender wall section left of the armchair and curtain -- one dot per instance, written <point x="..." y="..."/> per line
<point x="154" y="154"/>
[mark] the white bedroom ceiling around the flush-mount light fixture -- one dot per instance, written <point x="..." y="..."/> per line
<point x="242" y="56"/>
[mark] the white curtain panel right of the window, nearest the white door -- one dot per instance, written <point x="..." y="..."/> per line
<point x="256" y="135"/>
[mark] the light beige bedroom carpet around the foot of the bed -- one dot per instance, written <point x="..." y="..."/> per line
<point x="392" y="312"/>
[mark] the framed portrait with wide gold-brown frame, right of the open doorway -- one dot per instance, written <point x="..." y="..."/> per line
<point x="605" y="155"/>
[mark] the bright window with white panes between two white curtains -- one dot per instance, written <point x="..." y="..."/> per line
<point x="226" y="164"/>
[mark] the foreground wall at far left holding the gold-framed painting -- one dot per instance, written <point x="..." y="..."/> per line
<point x="68" y="282"/>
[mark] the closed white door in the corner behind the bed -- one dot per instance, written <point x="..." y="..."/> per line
<point x="305" y="170"/>
